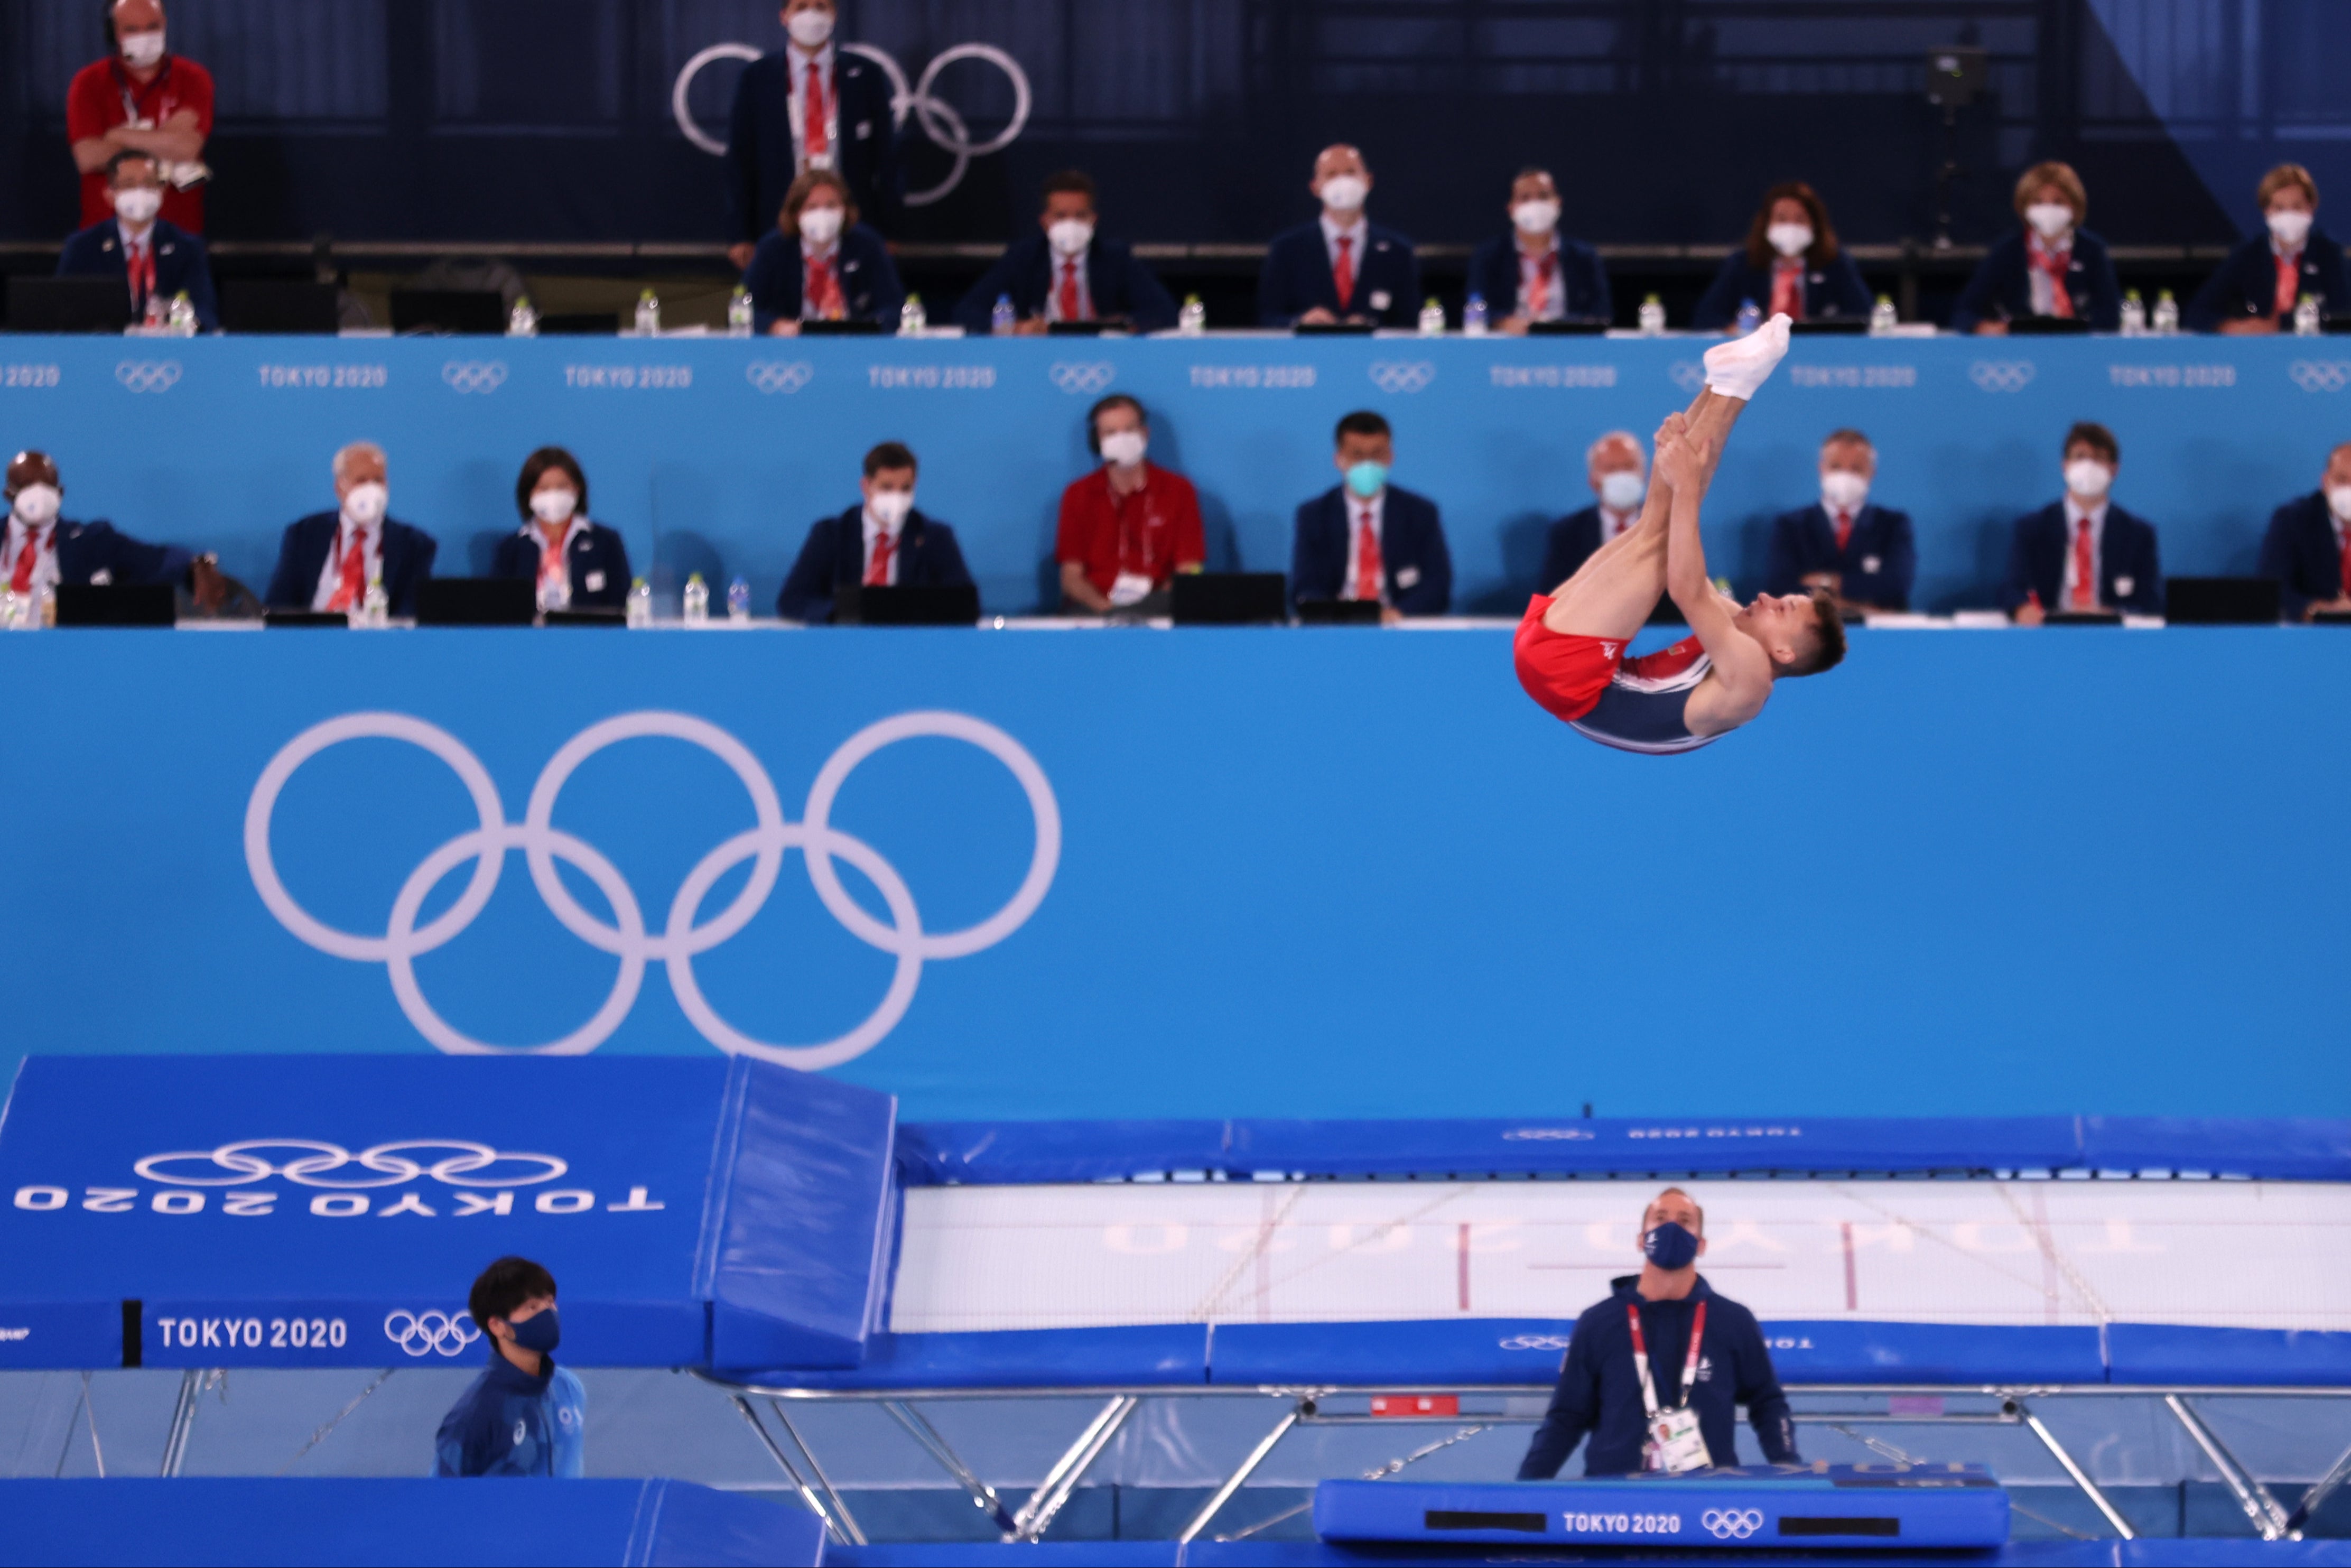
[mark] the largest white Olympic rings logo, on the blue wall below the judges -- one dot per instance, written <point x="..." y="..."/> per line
<point x="685" y="937"/>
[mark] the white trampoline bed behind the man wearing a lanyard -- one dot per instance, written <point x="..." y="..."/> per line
<point x="1934" y="1252"/>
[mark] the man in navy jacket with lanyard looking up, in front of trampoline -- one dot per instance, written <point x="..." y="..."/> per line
<point x="1706" y="1360"/>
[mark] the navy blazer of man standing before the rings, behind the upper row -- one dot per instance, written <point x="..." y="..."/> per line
<point x="763" y="161"/>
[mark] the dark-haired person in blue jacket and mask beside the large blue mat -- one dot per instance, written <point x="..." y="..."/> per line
<point x="523" y="1416"/>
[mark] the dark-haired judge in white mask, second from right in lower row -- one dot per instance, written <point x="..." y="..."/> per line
<point x="2084" y="554"/>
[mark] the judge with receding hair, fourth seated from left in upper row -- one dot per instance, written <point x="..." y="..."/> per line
<point x="1339" y="269"/>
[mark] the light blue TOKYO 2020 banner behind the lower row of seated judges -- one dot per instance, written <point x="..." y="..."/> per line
<point x="718" y="455"/>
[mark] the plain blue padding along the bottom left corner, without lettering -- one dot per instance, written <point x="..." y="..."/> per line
<point x="398" y="1522"/>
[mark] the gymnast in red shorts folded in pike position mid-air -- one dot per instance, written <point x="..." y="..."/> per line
<point x="1572" y="643"/>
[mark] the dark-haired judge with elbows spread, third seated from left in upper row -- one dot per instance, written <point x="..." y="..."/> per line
<point x="1069" y="274"/>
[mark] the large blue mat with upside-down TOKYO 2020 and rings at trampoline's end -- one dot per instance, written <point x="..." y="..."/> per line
<point x="335" y="1212"/>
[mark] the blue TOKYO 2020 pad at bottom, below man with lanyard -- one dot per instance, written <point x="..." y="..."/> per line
<point x="1762" y="1508"/>
